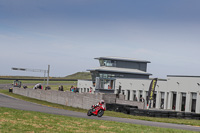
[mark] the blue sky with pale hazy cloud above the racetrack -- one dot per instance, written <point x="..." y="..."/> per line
<point x="69" y="34"/>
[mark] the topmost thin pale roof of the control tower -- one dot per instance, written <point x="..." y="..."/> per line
<point x="123" y="59"/>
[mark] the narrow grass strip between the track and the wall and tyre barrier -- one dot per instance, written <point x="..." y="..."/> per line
<point x="107" y="113"/>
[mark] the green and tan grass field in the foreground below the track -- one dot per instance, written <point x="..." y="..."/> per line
<point x="18" y="121"/>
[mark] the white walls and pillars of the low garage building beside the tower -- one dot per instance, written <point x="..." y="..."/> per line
<point x="172" y="85"/>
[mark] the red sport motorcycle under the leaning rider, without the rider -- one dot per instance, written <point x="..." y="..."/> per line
<point x="96" y="111"/>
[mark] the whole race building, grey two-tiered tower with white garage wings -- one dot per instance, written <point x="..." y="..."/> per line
<point x="130" y="78"/>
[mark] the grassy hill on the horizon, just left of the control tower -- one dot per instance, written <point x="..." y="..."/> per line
<point x="79" y="75"/>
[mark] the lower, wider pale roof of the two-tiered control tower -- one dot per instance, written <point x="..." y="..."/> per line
<point x="119" y="70"/>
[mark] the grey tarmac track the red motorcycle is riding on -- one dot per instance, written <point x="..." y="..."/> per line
<point x="7" y="101"/>
